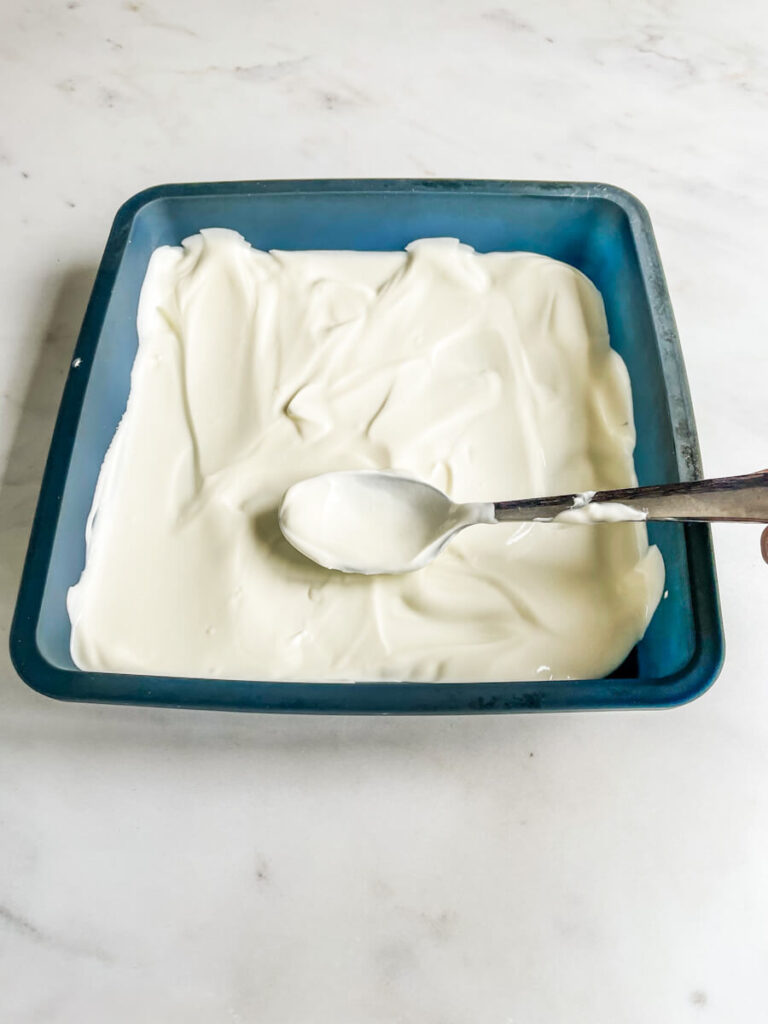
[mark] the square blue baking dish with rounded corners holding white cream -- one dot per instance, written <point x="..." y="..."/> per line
<point x="602" y="230"/>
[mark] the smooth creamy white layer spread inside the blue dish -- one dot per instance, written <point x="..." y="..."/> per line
<point x="489" y="375"/>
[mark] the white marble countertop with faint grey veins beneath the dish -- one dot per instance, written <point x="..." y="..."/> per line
<point x="161" y="867"/>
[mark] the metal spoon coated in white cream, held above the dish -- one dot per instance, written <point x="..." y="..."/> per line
<point x="376" y="522"/>
